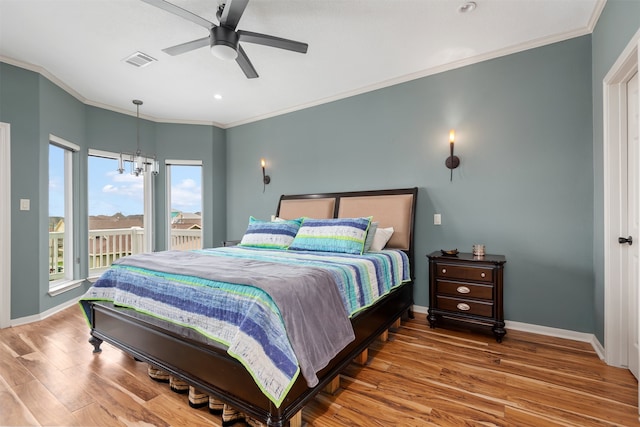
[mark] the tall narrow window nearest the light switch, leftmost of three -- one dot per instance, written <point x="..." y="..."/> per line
<point x="62" y="269"/>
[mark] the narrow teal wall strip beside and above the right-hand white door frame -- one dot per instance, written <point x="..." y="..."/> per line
<point x="618" y="23"/>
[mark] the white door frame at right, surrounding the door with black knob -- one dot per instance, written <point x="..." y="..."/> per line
<point x="615" y="209"/>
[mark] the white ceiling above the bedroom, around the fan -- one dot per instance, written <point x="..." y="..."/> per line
<point x="354" y="46"/>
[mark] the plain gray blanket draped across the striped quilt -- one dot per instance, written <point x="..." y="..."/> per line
<point x="316" y="321"/>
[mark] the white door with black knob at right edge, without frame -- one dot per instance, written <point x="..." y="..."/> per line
<point x="633" y="218"/>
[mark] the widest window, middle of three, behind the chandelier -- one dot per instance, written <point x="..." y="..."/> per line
<point x="119" y="216"/>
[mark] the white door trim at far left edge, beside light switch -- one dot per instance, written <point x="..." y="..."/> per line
<point x="5" y="225"/>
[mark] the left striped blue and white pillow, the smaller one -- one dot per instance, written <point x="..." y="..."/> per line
<point x="266" y="234"/>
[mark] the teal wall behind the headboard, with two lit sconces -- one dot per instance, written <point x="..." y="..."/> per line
<point x="524" y="187"/>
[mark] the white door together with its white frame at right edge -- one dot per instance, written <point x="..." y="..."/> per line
<point x="620" y="108"/>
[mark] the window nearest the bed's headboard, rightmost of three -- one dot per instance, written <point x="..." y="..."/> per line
<point x="184" y="196"/>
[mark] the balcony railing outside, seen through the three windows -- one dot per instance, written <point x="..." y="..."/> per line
<point x="106" y="246"/>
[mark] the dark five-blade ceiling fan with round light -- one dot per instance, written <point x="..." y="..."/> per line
<point x="224" y="39"/>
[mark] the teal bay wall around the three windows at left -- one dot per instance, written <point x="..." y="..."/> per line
<point x="36" y="108"/>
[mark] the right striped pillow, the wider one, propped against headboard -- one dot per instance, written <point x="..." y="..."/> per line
<point x="346" y="235"/>
